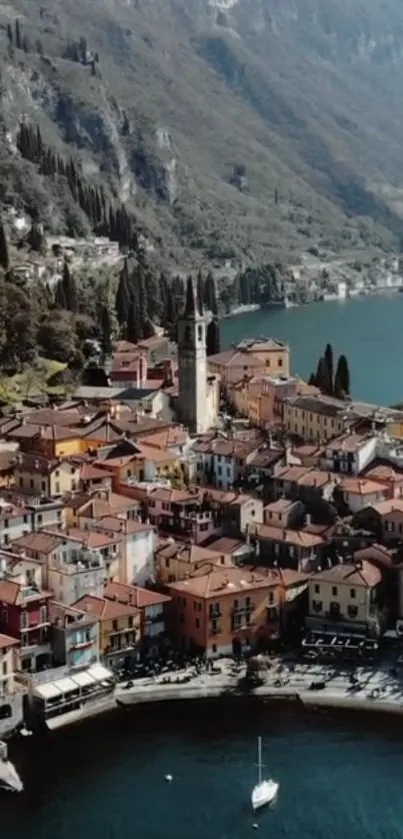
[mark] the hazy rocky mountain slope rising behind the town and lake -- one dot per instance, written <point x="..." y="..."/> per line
<point x="245" y="129"/>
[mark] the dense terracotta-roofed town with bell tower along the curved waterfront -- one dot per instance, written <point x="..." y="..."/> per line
<point x="204" y="520"/>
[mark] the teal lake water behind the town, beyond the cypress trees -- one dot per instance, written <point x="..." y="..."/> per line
<point x="368" y="330"/>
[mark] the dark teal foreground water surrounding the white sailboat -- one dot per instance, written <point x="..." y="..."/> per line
<point x="341" y="778"/>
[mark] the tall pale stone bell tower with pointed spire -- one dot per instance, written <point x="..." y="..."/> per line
<point x="193" y="411"/>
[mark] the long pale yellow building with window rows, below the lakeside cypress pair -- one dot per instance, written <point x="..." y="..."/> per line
<point x="316" y="418"/>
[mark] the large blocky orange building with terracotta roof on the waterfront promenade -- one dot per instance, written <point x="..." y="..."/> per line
<point x="227" y="610"/>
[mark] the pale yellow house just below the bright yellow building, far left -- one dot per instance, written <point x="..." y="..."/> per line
<point x="49" y="476"/>
